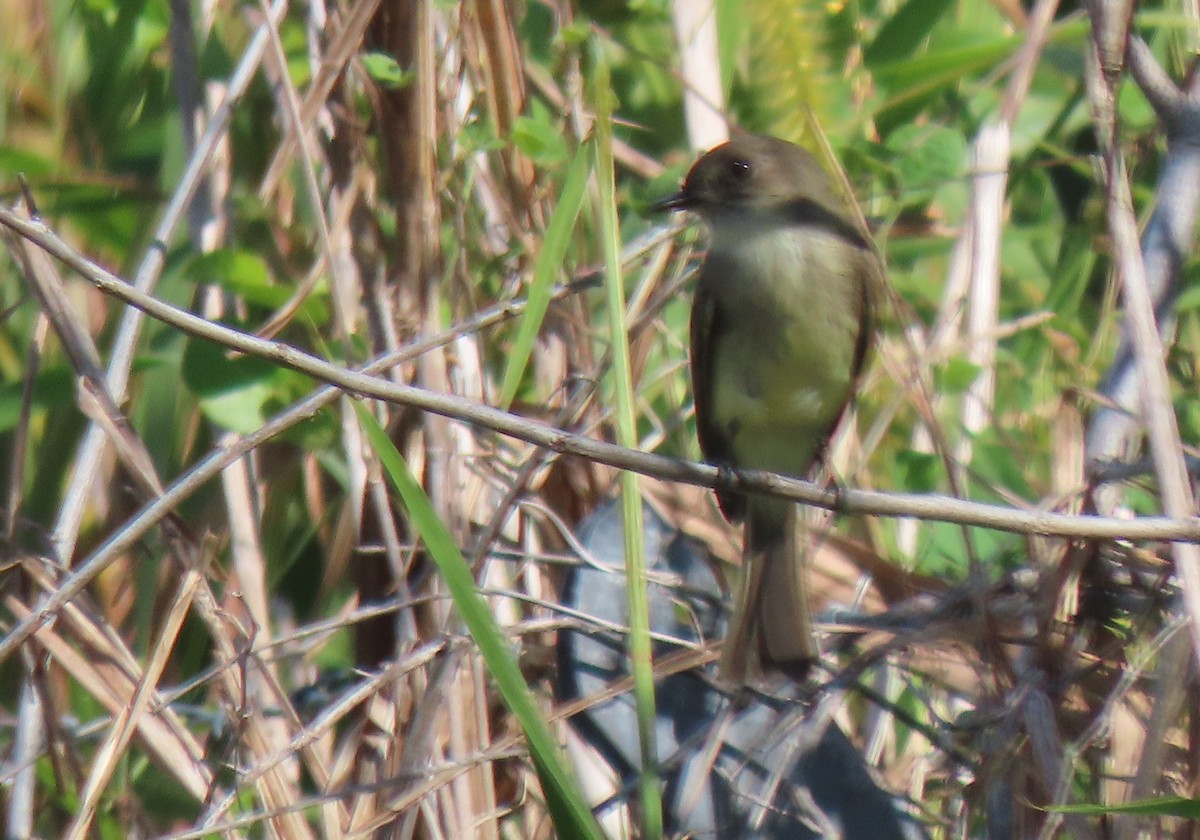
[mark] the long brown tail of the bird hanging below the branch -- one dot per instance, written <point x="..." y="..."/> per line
<point x="772" y="625"/>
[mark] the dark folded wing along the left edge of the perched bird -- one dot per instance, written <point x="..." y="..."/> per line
<point x="707" y="325"/>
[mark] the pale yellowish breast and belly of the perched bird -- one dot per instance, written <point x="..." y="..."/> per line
<point x="784" y="365"/>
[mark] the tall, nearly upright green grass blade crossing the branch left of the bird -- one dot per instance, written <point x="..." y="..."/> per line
<point x="640" y="652"/>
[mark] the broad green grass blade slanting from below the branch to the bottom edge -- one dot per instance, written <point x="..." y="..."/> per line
<point x="568" y="807"/>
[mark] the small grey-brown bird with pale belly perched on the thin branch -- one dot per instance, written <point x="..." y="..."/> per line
<point x="781" y="328"/>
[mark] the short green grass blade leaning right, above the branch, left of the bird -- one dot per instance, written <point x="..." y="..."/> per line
<point x="545" y="272"/>
